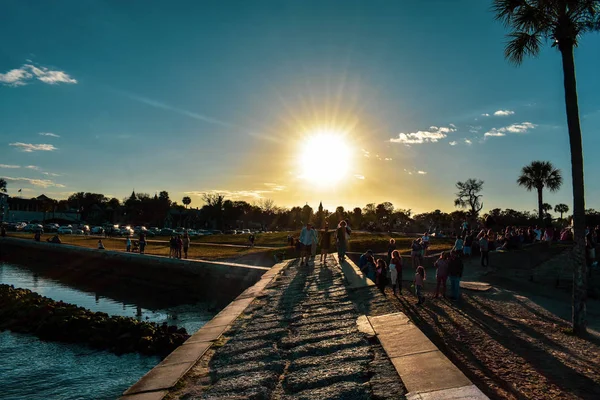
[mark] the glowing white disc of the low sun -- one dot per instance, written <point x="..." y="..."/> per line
<point x="325" y="157"/>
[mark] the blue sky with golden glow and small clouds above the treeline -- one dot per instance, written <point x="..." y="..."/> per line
<point x="198" y="96"/>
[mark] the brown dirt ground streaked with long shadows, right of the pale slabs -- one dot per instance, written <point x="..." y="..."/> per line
<point x="508" y="345"/>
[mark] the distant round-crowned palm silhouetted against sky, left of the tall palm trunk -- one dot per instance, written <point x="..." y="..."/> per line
<point x="539" y="175"/>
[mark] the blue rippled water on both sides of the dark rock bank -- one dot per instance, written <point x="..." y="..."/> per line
<point x="32" y="369"/>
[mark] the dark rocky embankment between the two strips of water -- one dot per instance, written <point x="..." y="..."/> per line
<point x="24" y="311"/>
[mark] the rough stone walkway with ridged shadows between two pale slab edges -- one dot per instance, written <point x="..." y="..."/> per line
<point x="299" y="340"/>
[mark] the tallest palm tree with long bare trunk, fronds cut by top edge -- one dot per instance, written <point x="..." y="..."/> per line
<point x="560" y="22"/>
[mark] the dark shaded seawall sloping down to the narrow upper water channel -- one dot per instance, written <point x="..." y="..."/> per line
<point x="131" y="276"/>
